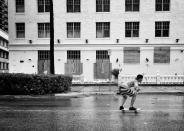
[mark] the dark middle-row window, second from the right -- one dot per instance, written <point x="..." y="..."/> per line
<point x="131" y="29"/>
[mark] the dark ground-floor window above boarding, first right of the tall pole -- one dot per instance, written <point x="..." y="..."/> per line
<point x="73" y="55"/>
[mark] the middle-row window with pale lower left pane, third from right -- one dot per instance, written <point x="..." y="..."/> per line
<point x="102" y="29"/>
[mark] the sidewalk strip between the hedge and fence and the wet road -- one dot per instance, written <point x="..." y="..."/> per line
<point x="83" y="91"/>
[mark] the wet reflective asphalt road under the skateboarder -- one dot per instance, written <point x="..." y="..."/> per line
<point x="92" y="113"/>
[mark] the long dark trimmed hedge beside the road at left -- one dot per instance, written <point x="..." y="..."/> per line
<point x="31" y="84"/>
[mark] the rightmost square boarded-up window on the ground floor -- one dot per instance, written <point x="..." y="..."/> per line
<point x="162" y="55"/>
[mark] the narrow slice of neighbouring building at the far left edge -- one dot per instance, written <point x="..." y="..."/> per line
<point x="4" y="51"/>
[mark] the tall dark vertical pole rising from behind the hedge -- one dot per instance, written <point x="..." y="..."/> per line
<point x="51" y="38"/>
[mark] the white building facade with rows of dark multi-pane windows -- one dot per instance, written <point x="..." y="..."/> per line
<point x="92" y="37"/>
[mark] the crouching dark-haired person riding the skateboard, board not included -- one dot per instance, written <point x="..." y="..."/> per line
<point x="130" y="89"/>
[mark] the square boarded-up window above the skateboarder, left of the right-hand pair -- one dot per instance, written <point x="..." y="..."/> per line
<point x="131" y="55"/>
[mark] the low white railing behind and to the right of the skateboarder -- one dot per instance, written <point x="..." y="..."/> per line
<point x="156" y="79"/>
